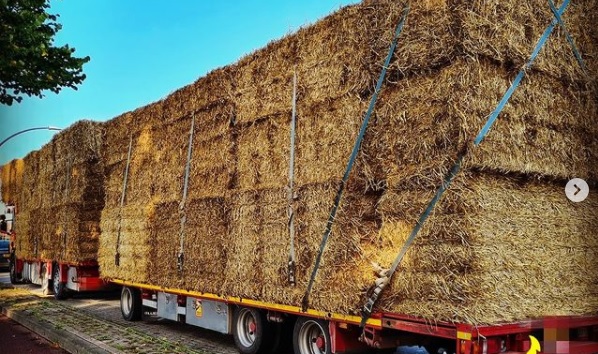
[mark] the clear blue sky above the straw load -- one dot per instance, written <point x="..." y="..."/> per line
<point x="141" y="51"/>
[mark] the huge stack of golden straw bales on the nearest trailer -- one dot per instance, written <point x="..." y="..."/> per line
<point x="504" y="243"/>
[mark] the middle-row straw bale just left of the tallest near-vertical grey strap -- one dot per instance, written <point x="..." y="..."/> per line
<point x="263" y="153"/>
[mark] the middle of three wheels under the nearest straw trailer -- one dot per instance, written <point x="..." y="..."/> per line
<point x="251" y="331"/>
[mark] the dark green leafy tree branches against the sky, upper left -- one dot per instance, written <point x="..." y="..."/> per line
<point x="29" y="61"/>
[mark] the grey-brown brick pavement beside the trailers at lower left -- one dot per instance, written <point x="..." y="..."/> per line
<point x="94" y="327"/>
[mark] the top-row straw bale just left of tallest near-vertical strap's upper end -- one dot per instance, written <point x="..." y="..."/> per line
<point x="264" y="80"/>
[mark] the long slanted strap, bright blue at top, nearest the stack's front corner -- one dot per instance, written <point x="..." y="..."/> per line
<point x="386" y="275"/>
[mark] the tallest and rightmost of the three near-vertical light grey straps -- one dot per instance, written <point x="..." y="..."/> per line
<point x="290" y="194"/>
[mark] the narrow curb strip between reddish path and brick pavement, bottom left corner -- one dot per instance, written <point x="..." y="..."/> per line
<point x="68" y="339"/>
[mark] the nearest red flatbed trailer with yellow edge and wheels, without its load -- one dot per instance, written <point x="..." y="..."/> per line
<point x="261" y="327"/>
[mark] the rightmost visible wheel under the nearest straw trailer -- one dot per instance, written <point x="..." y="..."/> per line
<point x="311" y="336"/>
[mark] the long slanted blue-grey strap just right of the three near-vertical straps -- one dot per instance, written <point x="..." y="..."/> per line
<point x="364" y="125"/>
